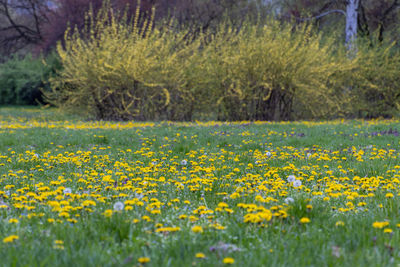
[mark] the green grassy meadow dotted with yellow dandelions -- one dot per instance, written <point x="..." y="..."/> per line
<point x="94" y="193"/>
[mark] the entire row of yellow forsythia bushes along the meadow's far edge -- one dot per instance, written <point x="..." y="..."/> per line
<point x="120" y="69"/>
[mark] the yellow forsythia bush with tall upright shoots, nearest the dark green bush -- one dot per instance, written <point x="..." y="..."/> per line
<point x="120" y="70"/>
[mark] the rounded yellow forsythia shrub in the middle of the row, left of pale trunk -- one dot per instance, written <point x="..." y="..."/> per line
<point x="265" y="72"/>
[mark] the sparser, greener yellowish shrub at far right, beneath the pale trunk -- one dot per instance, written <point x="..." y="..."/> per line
<point x="376" y="87"/>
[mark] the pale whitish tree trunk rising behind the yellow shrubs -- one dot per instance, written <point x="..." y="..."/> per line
<point x="351" y="25"/>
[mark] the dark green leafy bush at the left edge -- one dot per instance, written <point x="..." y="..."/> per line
<point x="21" y="80"/>
